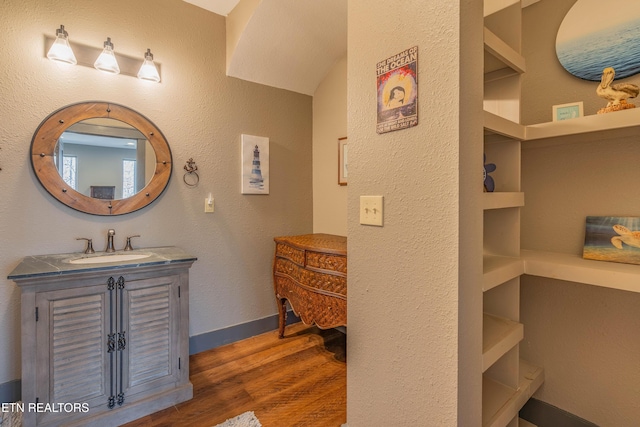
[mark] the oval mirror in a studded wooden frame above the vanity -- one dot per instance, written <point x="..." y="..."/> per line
<point x="101" y="158"/>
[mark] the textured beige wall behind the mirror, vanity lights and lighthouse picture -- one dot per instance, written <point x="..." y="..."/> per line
<point x="201" y="112"/>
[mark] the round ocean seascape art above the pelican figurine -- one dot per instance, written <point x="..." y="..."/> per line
<point x="588" y="40"/>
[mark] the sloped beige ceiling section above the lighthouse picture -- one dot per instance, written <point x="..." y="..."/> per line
<point x="288" y="44"/>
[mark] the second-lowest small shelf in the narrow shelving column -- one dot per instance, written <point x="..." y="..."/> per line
<point x="499" y="335"/>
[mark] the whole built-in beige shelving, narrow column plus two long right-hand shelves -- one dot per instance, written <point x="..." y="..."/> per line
<point x="508" y="381"/>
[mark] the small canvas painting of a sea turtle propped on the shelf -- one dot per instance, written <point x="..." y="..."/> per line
<point x="612" y="238"/>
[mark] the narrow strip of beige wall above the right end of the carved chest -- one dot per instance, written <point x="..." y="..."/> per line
<point x="329" y="124"/>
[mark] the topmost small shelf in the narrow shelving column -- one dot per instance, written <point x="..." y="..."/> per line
<point x="503" y="61"/>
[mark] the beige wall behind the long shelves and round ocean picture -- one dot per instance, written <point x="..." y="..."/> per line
<point x="585" y="337"/>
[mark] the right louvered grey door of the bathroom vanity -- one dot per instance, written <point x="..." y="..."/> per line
<point x="151" y="312"/>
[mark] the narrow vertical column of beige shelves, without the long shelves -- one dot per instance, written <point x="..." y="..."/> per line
<point x="508" y="382"/>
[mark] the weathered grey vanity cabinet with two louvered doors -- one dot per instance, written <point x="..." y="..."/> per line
<point x="104" y="344"/>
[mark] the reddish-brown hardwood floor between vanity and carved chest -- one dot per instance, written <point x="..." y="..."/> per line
<point x="299" y="380"/>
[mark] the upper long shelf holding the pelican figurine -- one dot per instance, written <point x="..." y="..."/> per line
<point x="625" y="119"/>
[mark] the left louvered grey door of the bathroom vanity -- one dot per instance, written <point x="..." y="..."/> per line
<point x="72" y="354"/>
